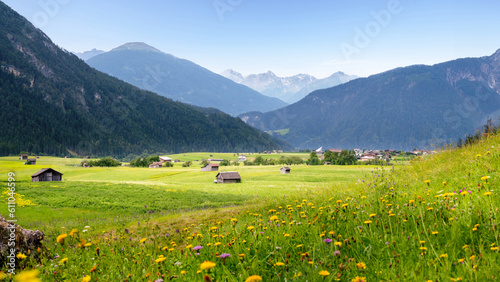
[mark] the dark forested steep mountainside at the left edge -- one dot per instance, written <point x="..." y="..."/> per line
<point x="53" y="102"/>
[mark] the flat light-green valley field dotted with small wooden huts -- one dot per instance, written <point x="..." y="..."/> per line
<point x="90" y="193"/>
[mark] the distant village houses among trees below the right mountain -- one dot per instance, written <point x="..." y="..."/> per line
<point x="370" y="155"/>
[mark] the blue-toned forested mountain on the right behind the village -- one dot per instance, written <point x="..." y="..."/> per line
<point x="416" y="106"/>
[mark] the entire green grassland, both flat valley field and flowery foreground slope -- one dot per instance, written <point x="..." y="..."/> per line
<point x="433" y="220"/>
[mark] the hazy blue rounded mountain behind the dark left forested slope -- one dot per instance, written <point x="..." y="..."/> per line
<point x="150" y="69"/>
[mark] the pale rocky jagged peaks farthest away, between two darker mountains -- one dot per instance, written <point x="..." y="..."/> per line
<point x="289" y="89"/>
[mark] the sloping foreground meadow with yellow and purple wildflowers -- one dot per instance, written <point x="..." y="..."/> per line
<point x="435" y="220"/>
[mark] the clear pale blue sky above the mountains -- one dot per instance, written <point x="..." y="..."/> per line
<point x="287" y="37"/>
